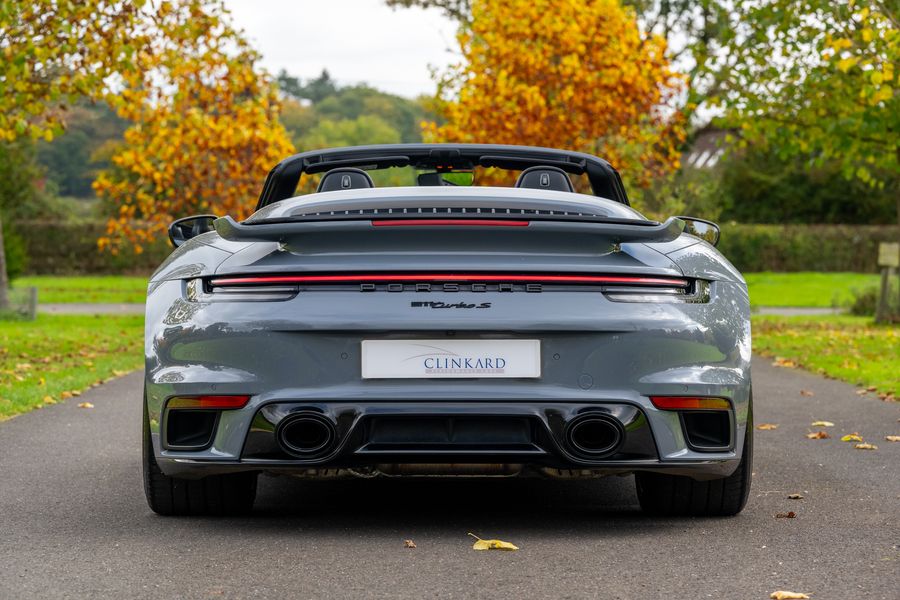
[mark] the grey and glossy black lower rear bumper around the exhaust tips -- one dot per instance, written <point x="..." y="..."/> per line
<point x="529" y="437"/>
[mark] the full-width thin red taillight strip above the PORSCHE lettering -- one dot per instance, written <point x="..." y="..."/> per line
<point x="445" y="277"/>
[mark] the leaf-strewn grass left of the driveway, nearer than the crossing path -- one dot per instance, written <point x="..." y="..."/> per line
<point x="57" y="356"/>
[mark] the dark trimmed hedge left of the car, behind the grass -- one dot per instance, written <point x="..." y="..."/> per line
<point x="71" y="249"/>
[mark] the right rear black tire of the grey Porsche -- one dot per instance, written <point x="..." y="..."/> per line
<point x="678" y="495"/>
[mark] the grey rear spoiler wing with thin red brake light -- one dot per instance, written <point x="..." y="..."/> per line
<point x="616" y="231"/>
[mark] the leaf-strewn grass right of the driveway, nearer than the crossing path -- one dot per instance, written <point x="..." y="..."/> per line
<point x="849" y="348"/>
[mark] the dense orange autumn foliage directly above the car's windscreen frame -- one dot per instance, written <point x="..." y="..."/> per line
<point x="573" y="74"/>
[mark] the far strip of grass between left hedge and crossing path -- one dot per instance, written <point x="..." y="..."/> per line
<point x="109" y="289"/>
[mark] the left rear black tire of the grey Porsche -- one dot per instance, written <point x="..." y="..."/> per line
<point x="230" y="494"/>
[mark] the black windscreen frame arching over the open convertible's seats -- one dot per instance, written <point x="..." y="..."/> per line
<point x="282" y="180"/>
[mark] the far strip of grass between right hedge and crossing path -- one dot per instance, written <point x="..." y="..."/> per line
<point x="806" y="288"/>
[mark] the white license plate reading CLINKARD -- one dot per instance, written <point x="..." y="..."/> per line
<point x="440" y="359"/>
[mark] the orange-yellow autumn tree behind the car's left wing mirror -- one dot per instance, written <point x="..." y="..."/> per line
<point x="205" y="126"/>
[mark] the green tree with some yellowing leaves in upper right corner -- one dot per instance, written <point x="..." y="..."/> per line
<point x="814" y="80"/>
